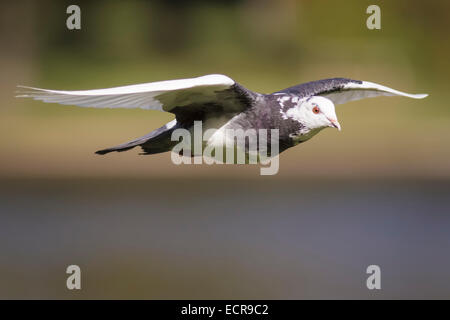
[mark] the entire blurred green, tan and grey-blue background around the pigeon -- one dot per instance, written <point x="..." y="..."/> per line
<point x="140" y="227"/>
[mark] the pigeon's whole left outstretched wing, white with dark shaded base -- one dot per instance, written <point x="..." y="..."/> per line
<point x="175" y="96"/>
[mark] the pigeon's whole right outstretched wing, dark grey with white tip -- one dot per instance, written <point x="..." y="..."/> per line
<point x="341" y="90"/>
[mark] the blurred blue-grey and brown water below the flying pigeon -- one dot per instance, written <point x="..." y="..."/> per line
<point x="224" y="239"/>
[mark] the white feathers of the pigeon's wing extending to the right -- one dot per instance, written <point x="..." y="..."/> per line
<point x="357" y="91"/>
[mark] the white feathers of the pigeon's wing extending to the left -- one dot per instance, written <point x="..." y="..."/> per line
<point x="143" y="96"/>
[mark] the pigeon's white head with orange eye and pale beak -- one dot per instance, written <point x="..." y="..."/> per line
<point x="319" y="113"/>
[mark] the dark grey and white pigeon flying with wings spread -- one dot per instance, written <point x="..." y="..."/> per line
<point x="298" y="112"/>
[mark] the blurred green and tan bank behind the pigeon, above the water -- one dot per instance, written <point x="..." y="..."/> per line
<point x="264" y="45"/>
